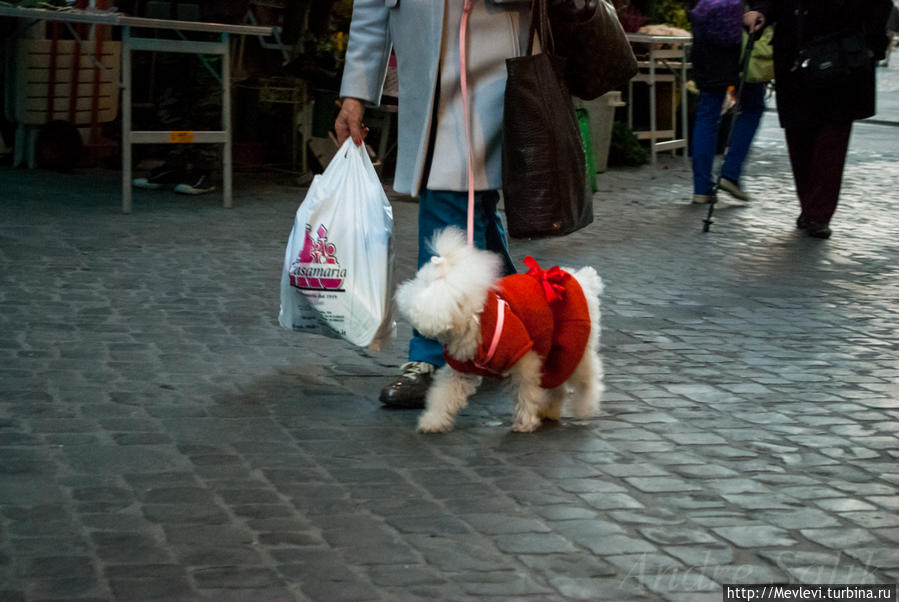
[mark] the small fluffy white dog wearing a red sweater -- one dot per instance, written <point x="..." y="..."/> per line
<point x="540" y="328"/>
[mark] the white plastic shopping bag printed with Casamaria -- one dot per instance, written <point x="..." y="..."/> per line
<point x="337" y="278"/>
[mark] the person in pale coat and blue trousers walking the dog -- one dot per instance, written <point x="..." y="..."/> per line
<point x="432" y="156"/>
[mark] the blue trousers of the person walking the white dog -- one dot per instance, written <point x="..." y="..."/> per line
<point x="438" y="209"/>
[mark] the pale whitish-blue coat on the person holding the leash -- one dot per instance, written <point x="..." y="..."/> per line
<point x="416" y="30"/>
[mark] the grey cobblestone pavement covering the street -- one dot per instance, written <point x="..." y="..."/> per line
<point x="161" y="438"/>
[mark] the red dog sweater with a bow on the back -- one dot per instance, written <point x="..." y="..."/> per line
<point x="543" y="310"/>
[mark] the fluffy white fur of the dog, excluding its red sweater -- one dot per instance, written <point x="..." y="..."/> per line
<point x="444" y="301"/>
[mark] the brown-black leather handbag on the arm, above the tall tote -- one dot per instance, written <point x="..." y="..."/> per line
<point x="599" y="57"/>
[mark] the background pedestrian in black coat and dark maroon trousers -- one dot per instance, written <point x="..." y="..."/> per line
<point x="817" y="114"/>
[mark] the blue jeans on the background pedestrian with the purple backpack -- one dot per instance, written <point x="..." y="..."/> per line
<point x="705" y="134"/>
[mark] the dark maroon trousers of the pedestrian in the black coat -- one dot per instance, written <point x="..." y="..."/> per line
<point x="817" y="156"/>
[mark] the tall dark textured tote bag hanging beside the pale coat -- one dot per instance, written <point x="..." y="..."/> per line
<point x="544" y="175"/>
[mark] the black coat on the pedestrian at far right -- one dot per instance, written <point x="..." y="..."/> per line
<point x="802" y="108"/>
